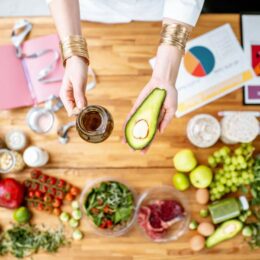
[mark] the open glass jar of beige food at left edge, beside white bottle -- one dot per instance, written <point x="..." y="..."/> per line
<point x="10" y="161"/>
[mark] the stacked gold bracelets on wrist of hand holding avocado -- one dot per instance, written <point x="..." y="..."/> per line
<point x="176" y="35"/>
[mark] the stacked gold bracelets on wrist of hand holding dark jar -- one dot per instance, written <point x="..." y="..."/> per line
<point x="74" y="45"/>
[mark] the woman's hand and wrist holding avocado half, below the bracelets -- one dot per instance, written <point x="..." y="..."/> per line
<point x="164" y="76"/>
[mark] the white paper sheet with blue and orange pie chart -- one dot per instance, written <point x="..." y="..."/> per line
<point x="213" y="66"/>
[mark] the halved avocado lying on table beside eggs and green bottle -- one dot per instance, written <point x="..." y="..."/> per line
<point x="227" y="230"/>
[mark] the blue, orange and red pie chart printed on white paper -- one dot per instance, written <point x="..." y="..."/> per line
<point x="199" y="61"/>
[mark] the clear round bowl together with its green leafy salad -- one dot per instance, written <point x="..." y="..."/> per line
<point x="110" y="206"/>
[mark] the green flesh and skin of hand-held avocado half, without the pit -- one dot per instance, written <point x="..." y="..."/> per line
<point x="149" y="111"/>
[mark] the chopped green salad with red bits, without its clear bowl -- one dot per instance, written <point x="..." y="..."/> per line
<point x="110" y="204"/>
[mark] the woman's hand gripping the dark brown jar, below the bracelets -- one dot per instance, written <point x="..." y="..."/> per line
<point x="72" y="92"/>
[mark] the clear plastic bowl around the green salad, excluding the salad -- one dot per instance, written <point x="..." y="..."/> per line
<point x="118" y="230"/>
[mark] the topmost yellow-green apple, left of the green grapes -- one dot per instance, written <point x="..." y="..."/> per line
<point x="184" y="160"/>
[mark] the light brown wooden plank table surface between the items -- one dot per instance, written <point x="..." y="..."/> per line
<point x="119" y="55"/>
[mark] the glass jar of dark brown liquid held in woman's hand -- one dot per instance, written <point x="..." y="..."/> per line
<point x="94" y="124"/>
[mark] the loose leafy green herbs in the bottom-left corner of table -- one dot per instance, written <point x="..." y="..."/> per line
<point x="22" y="241"/>
